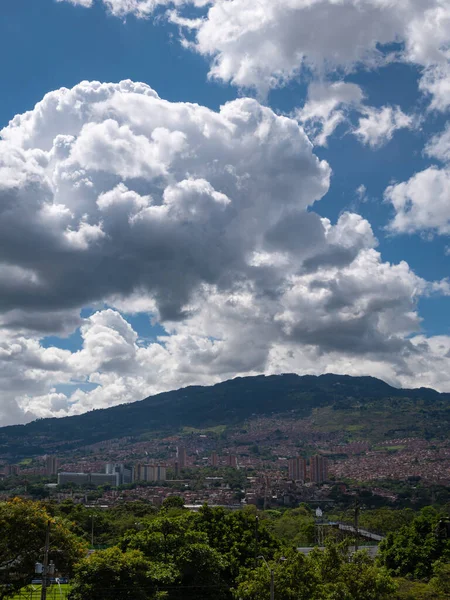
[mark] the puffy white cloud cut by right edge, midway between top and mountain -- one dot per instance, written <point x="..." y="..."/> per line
<point x="421" y="203"/>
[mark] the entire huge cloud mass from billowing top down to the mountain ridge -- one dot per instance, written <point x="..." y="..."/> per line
<point x="111" y="195"/>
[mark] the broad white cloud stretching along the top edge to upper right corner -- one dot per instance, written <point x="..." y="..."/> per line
<point x="265" y="43"/>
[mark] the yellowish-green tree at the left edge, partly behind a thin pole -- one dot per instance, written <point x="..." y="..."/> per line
<point x="23" y="526"/>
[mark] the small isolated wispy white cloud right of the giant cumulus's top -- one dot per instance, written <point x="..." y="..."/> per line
<point x="379" y="124"/>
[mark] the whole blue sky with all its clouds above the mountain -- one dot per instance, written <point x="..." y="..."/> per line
<point x="194" y="190"/>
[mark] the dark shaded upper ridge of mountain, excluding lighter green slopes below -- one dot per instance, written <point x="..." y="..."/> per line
<point x="224" y="403"/>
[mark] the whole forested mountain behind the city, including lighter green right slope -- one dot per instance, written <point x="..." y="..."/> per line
<point x="368" y="405"/>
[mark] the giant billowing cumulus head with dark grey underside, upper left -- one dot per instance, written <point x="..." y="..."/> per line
<point x="121" y="191"/>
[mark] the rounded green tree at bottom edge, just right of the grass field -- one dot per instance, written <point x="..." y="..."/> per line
<point x="111" y="574"/>
